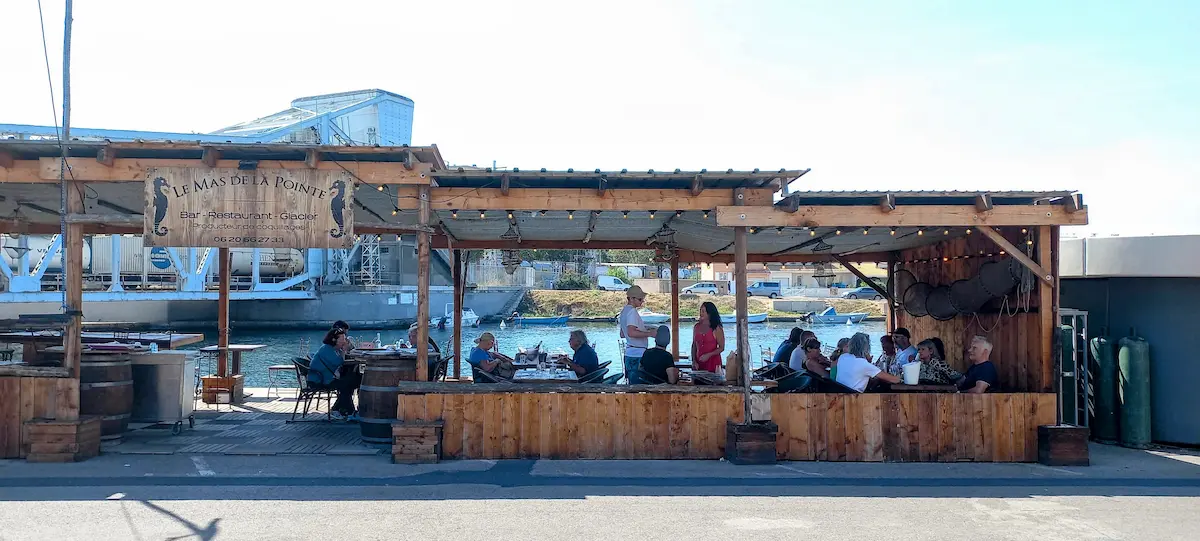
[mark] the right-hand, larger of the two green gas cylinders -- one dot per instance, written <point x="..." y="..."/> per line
<point x="1133" y="362"/>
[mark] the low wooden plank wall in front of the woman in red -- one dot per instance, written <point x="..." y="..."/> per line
<point x="529" y="425"/>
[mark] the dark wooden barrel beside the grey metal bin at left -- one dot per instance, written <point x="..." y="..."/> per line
<point x="106" y="389"/>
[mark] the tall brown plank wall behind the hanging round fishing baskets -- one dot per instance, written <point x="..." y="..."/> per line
<point x="1017" y="340"/>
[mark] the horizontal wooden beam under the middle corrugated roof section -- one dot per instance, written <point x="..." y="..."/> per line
<point x="584" y="200"/>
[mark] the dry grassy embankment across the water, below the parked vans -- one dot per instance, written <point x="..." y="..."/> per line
<point x="596" y="304"/>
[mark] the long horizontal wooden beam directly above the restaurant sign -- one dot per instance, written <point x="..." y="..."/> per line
<point x="135" y="170"/>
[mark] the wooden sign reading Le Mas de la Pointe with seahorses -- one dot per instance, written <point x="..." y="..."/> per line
<point x="262" y="208"/>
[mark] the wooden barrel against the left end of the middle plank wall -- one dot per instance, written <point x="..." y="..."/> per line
<point x="379" y="396"/>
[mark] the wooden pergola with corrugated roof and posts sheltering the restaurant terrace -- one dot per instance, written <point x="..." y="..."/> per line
<point x="700" y="217"/>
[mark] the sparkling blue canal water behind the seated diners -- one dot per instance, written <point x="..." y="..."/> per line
<point x="284" y="345"/>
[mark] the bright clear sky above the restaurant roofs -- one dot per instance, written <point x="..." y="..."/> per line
<point x="1102" y="98"/>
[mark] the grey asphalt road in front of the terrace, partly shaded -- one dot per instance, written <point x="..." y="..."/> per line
<point x="1142" y="496"/>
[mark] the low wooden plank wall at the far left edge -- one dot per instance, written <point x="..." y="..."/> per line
<point x="23" y="399"/>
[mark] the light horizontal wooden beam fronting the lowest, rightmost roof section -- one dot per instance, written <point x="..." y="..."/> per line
<point x="904" y="217"/>
